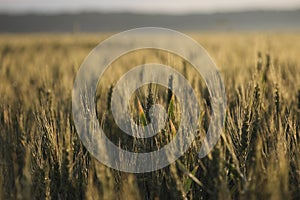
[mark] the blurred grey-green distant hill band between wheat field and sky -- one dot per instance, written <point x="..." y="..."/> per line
<point x="96" y="22"/>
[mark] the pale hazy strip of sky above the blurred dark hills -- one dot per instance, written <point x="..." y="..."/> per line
<point x="144" y="6"/>
